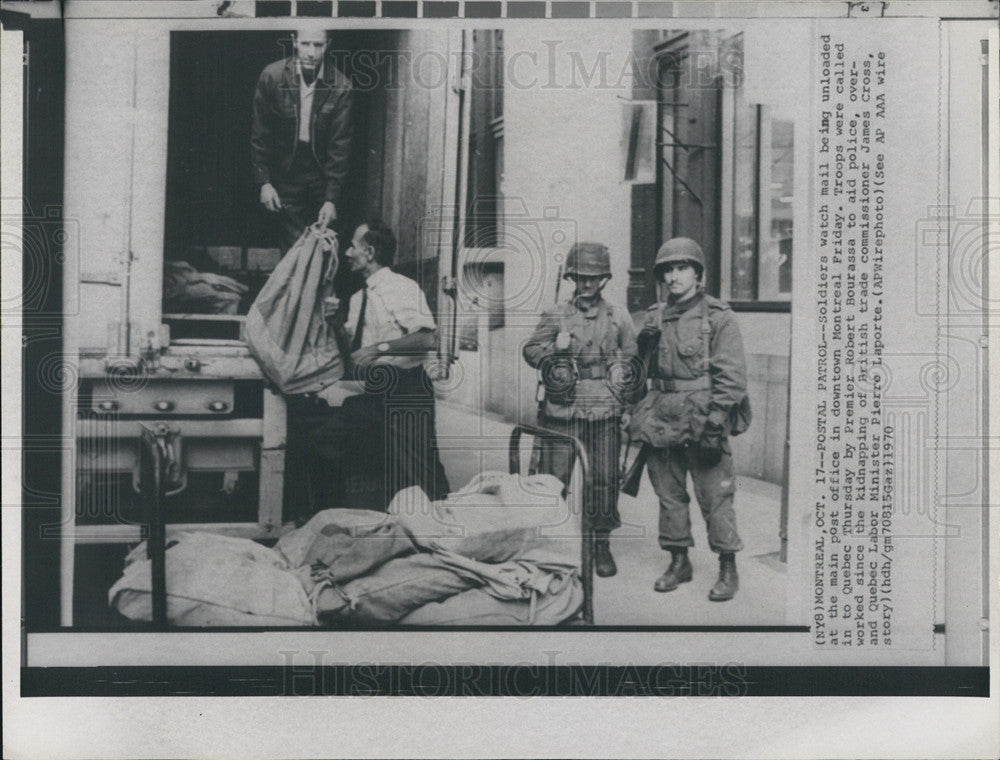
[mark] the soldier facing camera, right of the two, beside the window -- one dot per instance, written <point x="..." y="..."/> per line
<point x="696" y="401"/>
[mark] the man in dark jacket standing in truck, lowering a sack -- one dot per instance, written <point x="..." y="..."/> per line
<point x="301" y="137"/>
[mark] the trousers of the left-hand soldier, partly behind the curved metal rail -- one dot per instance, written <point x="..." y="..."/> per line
<point x="601" y="439"/>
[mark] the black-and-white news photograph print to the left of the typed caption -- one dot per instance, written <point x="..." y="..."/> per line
<point x="278" y="409"/>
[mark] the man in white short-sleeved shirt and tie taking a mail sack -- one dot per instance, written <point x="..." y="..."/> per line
<point x="387" y="433"/>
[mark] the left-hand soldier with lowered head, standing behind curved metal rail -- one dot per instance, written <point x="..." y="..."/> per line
<point x="582" y="349"/>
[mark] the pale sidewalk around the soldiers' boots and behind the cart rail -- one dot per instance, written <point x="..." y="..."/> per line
<point x="471" y="443"/>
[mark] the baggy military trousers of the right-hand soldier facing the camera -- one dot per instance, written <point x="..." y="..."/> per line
<point x="714" y="488"/>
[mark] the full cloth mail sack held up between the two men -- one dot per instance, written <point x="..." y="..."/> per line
<point x="285" y="328"/>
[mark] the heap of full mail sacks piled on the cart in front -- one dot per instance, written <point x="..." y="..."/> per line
<point x="505" y="550"/>
